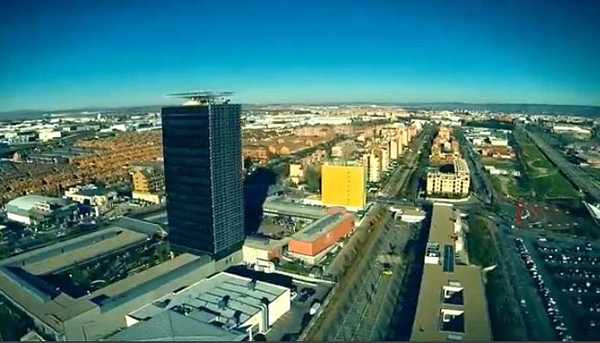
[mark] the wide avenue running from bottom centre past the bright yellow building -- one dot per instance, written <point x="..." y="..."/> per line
<point x="364" y="300"/>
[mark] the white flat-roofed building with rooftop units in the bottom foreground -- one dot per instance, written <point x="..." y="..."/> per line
<point x="223" y="307"/>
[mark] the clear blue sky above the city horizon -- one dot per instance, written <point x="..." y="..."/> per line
<point x="70" y="54"/>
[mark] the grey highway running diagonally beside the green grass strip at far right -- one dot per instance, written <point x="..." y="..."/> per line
<point x="573" y="173"/>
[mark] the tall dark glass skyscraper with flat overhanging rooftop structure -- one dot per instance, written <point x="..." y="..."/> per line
<point x="202" y="151"/>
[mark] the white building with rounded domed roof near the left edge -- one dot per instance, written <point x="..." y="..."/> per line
<point x="37" y="209"/>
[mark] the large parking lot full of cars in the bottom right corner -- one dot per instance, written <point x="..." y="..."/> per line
<point x="567" y="274"/>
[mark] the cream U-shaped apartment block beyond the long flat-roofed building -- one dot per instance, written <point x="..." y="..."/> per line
<point x="451" y="180"/>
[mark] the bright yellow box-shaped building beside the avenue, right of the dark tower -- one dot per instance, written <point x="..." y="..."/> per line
<point x="343" y="185"/>
